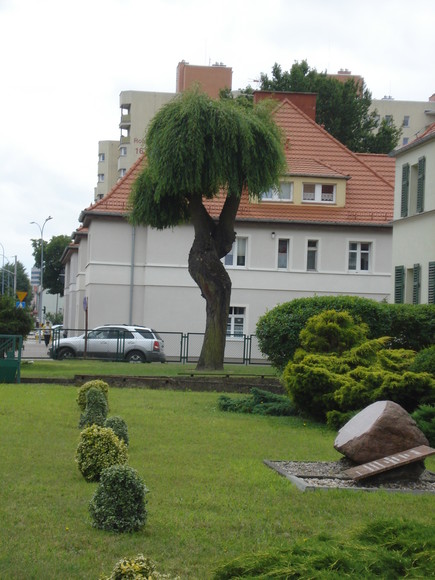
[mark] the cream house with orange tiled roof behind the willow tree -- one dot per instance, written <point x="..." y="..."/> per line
<point x="328" y="230"/>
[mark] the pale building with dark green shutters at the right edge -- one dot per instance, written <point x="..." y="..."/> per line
<point x="414" y="221"/>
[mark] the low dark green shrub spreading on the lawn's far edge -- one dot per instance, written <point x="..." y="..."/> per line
<point x="259" y="403"/>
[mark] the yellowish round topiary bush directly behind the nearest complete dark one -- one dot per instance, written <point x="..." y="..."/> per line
<point x="98" y="449"/>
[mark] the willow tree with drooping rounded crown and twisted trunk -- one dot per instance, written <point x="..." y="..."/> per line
<point x="197" y="148"/>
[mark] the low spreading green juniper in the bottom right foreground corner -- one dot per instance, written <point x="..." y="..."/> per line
<point x="382" y="549"/>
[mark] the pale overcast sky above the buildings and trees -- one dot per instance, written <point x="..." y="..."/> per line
<point x="64" y="64"/>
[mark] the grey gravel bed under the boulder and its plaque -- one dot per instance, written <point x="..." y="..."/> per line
<point x="312" y="475"/>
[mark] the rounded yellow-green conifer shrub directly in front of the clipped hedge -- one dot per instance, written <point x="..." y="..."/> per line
<point x="332" y="331"/>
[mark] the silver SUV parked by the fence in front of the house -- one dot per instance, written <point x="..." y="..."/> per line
<point x="113" y="341"/>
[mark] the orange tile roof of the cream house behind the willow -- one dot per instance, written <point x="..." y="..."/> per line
<point x="310" y="150"/>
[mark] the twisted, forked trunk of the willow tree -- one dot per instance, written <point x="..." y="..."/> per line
<point x="212" y="242"/>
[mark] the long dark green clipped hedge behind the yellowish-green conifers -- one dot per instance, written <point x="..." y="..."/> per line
<point x="410" y="326"/>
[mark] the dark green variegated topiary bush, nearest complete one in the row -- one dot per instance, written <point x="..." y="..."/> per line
<point x="118" y="504"/>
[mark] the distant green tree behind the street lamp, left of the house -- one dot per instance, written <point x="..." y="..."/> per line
<point x="53" y="269"/>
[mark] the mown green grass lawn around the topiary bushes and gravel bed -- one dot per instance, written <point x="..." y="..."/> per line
<point x="211" y="498"/>
